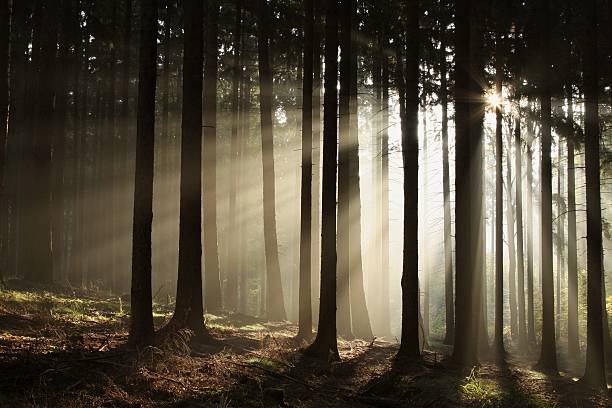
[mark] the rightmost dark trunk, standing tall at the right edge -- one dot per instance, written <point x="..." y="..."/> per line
<point x="595" y="371"/>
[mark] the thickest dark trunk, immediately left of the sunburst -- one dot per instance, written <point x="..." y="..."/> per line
<point x="468" y="191"/>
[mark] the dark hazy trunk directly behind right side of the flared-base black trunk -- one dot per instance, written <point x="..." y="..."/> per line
<point x="212" y="282"/>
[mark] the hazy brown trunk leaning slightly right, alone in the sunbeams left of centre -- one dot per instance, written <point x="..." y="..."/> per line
<point x="275" y="304"/>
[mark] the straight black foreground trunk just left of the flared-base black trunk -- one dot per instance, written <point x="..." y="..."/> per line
<point x="141" y="325"/>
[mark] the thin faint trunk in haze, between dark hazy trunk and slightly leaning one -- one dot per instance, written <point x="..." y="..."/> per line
<point x="231" y="299"/>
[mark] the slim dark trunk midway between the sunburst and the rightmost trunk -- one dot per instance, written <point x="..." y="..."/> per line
<point x="548" y="356"/>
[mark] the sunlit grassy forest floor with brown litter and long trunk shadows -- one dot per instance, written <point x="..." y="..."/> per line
<point x="66" y="349"/>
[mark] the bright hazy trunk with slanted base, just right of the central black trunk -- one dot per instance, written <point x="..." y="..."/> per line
<point x="359" y="310"/>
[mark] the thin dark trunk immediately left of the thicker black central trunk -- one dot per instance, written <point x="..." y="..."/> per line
<point x="305" y="295"/>
